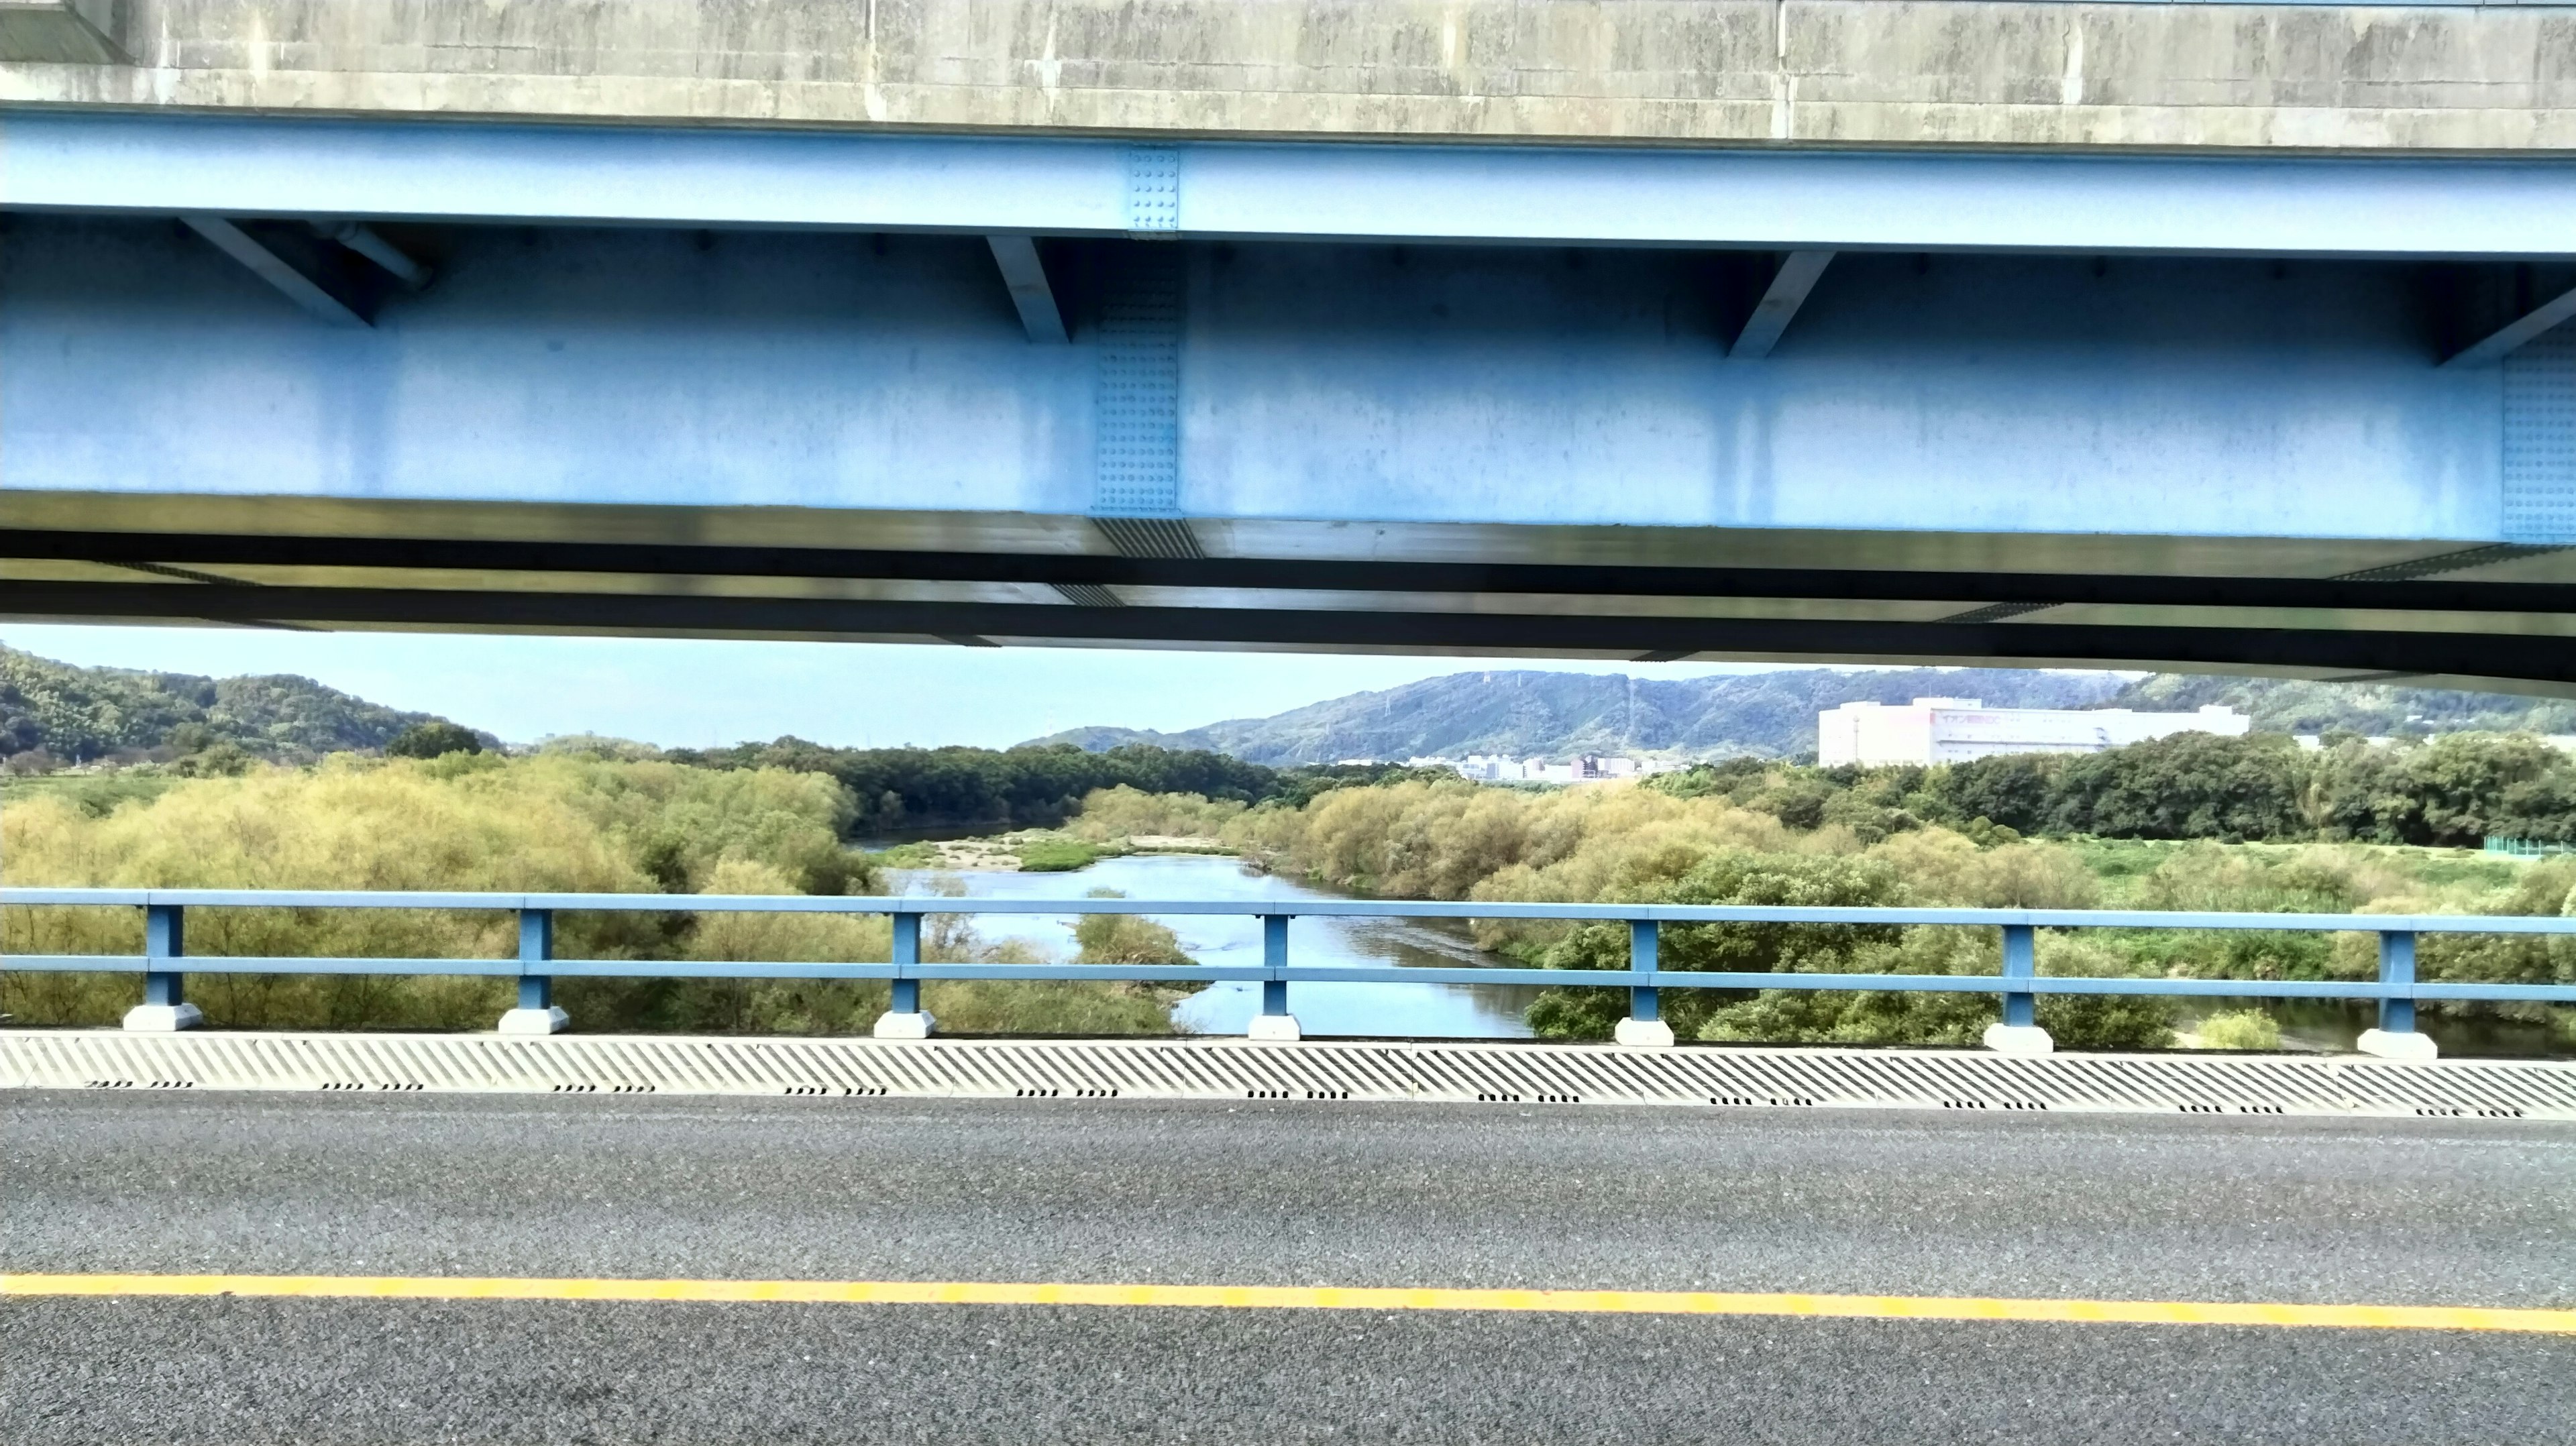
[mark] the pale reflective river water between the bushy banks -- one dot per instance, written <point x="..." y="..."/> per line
<point x="1418" y="1012"/>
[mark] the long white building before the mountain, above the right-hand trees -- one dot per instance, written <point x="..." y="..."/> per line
<point x="1956" y="731"/>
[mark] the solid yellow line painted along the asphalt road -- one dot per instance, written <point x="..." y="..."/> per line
<point x="1307" y="1298"/>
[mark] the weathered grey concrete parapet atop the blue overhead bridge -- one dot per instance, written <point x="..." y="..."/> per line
<point x="1848" y="73"/>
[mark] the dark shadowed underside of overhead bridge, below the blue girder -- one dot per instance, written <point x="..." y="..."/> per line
<point x="2490" y="617"/>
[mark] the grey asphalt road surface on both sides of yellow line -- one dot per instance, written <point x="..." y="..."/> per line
<point x="1256" y="1195"/>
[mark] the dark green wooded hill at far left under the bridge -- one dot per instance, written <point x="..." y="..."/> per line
<point x="94" y="713"/>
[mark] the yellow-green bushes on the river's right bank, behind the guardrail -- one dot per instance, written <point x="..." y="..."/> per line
<point x="1699" y="844"/>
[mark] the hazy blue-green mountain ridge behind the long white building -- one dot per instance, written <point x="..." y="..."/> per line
<point x="1774" y="715"/>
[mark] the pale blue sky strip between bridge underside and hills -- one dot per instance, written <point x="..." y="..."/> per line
<point x="694" y="695"/>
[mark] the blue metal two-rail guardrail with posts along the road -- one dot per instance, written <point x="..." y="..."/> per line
<point x="2397" y="988"/>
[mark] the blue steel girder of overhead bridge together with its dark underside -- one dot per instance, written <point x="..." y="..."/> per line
<point x="1150" y="427"/>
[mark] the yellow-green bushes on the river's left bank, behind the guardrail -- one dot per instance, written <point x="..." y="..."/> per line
<point x="576" y="824"/>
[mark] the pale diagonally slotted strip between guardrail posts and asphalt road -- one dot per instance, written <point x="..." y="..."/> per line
<point x="1315" y="1071"/>
